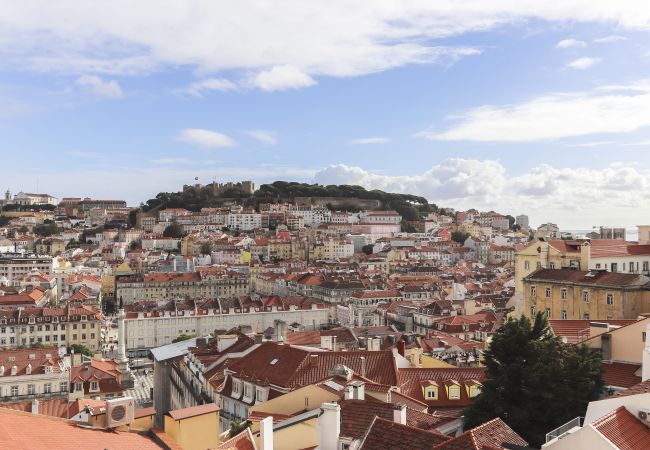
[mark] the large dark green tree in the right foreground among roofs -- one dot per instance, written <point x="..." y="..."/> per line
<point x="535" y="382"/>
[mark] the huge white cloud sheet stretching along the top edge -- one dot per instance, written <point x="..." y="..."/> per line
<point x="333" y="38"/>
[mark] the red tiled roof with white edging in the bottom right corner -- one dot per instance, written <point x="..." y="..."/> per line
<point x="624" y="430"/>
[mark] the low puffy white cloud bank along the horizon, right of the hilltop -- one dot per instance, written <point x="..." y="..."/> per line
<point x="575" y="198"/>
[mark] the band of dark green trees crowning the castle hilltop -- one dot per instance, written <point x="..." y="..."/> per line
<point x="193" y="198"/>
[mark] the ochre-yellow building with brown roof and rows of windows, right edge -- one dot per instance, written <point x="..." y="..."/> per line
<point x="585" y="295"/>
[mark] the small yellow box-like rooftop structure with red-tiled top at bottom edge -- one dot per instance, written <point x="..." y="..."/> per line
<point x="194" y="428"/>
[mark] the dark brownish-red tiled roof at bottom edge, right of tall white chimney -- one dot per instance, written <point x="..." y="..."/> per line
<point x="388" y="435"/>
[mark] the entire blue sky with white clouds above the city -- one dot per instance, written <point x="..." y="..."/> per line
<point x="523" y="107"/>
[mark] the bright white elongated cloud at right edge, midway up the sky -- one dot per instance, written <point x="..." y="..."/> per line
<point x="623" y="109"/>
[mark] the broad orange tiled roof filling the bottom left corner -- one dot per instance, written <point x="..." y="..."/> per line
<point x="49" y="433"/>
